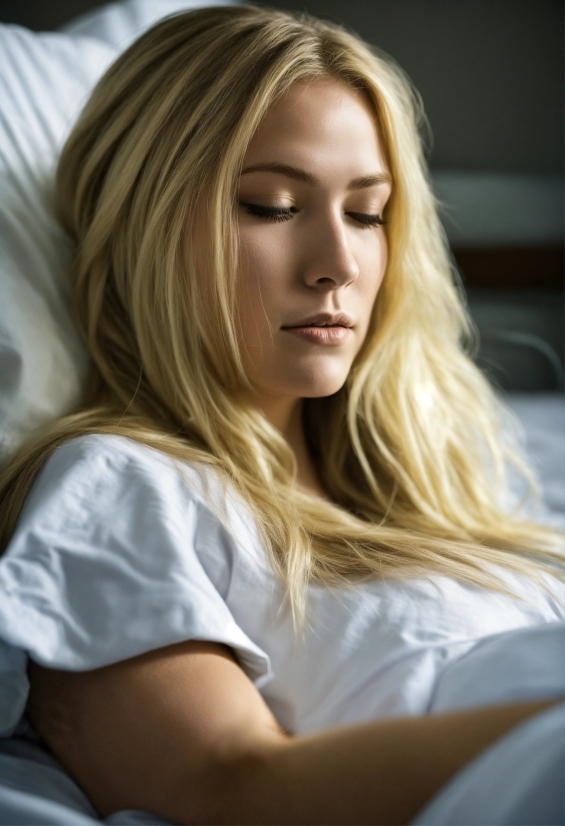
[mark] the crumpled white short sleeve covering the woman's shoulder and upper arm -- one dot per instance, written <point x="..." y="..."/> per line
<point x="103" y="567"/>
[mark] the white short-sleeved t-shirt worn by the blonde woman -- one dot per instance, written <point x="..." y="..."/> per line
<point x="120" y="550"/>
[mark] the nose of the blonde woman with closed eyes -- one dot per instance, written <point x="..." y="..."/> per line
<point x="330" y="262"/>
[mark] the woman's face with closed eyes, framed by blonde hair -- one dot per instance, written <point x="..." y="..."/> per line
<point x="313" y="249"/>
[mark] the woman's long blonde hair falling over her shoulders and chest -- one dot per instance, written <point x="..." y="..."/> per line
<point x="409" y="449"/>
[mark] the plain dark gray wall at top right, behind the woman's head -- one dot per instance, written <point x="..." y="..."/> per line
<point x="490" y="73"/>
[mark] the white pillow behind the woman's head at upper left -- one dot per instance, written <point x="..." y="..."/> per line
<point x="45" y="79"/>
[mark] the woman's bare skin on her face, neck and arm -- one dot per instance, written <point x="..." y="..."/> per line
<point x="181" y="731"/>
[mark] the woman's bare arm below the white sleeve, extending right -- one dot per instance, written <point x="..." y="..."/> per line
<point x="183" y="733"/>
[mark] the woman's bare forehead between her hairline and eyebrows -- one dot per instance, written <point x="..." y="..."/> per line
<point x="321" y="123"/>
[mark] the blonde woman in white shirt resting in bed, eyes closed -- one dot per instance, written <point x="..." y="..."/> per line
<point x="242" y="569"/>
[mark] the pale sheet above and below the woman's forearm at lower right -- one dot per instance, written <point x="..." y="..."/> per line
<point x="521" y="778"/>
